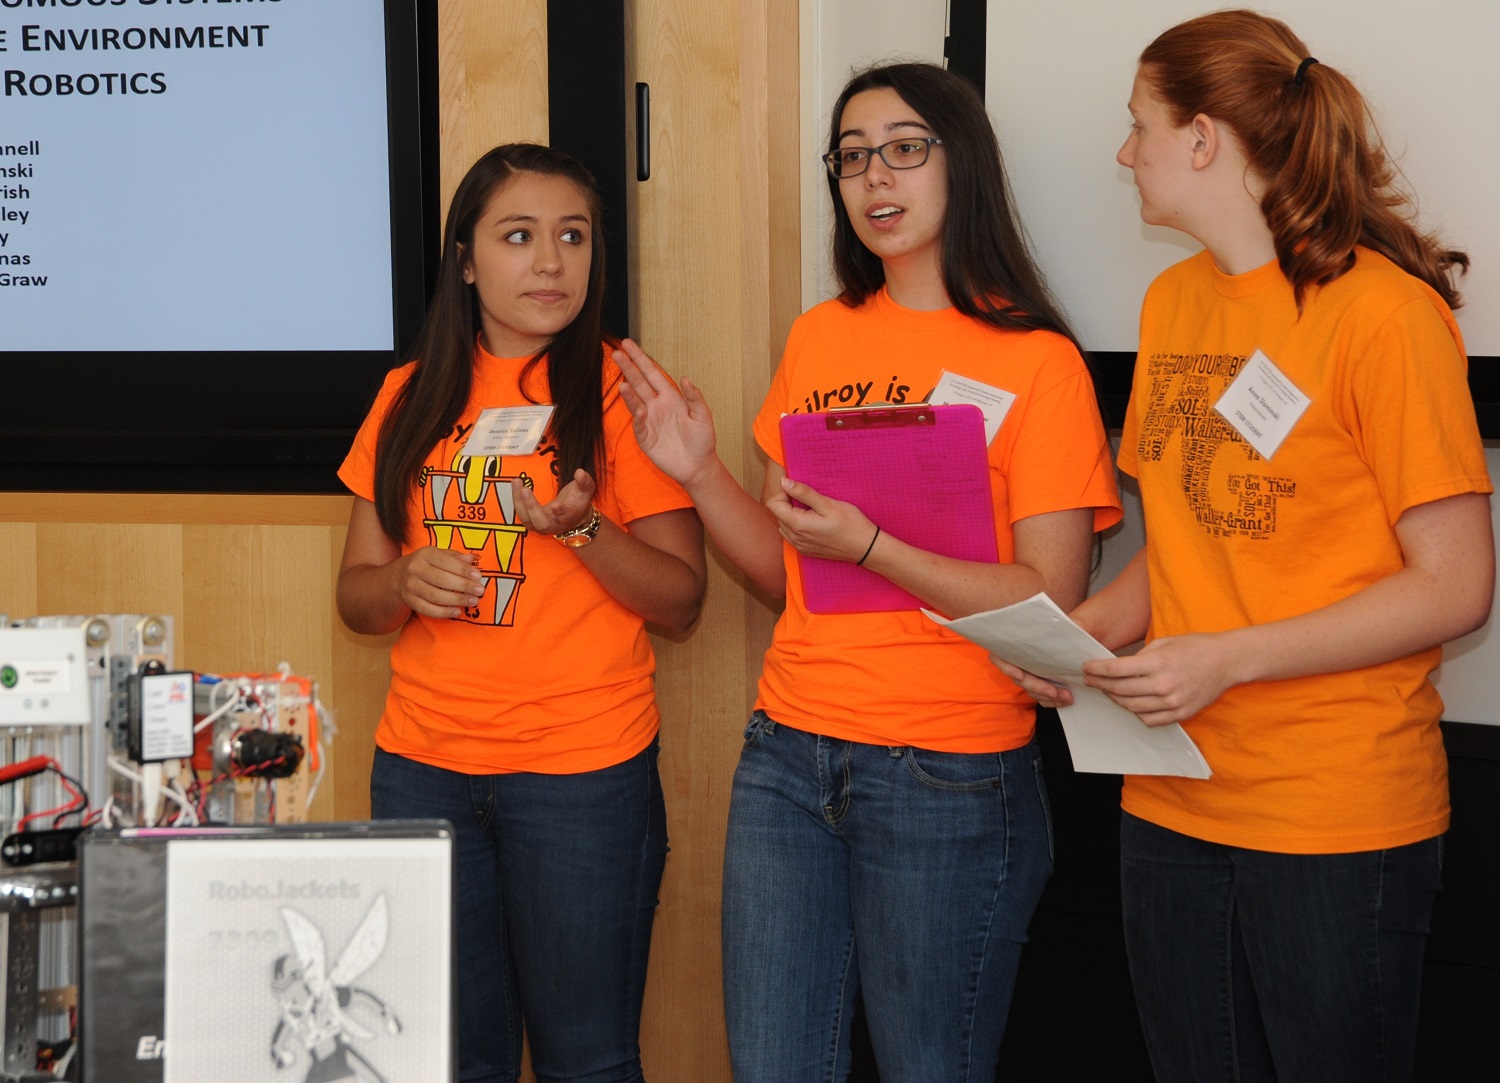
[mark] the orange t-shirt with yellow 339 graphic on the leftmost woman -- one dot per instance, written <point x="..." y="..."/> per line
<point x="548" y="674"/>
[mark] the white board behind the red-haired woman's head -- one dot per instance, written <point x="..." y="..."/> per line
<point x="1060" y="76"/>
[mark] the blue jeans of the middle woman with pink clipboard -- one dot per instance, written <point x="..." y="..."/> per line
<point x="899" y="875"/>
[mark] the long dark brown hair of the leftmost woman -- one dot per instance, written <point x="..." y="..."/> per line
<point x="433" y="401"/>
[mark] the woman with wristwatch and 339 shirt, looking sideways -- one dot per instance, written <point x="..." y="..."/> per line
<point x="523" y="703"/>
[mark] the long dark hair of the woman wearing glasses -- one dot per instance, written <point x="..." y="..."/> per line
<point x="988" y="268"/>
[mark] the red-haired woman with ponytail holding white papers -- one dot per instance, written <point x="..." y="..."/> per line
<point x="1318" y="526"/>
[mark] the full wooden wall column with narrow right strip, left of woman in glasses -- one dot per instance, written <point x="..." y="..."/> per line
<point x="716" y="284"/>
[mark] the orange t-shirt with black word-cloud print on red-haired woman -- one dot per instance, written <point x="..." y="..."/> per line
<point x="1337" y="763"/>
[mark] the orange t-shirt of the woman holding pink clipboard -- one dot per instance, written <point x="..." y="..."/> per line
<point x="899" y="679"/>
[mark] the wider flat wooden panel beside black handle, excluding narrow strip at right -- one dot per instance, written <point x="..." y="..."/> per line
<point x="692" y="311"/>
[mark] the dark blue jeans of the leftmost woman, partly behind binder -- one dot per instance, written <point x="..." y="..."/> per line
<point x="556" y="887"/>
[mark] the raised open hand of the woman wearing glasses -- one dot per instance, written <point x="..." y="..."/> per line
<point x="674" y="427"/>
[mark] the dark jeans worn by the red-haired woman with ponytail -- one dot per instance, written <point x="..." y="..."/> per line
<point x="1276" y="967"/>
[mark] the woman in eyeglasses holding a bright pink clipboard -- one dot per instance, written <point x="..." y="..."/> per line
<point x="889" y="830"/>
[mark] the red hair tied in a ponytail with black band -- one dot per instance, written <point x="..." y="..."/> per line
<point x="1309" y="136"/>
